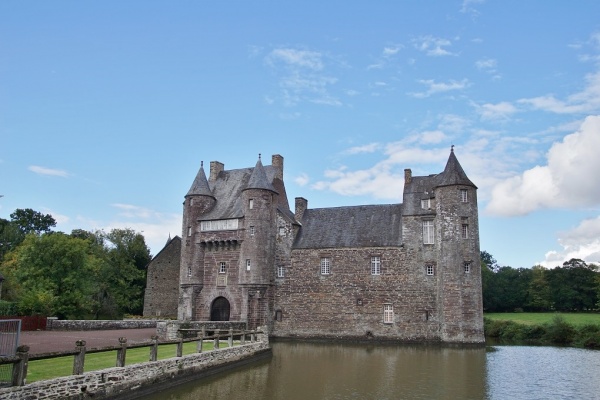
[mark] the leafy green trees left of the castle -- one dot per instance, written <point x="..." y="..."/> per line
<point x="81" y="275"/>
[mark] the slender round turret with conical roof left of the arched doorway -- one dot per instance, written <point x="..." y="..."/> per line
<point x="198" y="201"/>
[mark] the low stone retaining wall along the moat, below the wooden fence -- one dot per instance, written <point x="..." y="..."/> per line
<point x="131" y="381"/>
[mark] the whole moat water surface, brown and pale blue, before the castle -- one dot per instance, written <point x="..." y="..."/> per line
<point x="339" y="372"/>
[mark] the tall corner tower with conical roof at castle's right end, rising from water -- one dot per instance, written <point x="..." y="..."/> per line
<point x="458" y="262"/>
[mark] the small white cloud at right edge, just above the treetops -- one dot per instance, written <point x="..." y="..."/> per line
<point x="582" y="242"/>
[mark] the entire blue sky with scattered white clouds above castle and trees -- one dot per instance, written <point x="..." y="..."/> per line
<point x="107" y="109"/>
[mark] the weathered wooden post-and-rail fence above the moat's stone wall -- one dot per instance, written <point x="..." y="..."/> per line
<point x="22" y="358"/>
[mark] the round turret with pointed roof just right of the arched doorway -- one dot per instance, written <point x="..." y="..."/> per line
<point x="257" y="258"/>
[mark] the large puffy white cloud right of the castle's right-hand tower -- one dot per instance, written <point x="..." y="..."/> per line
<point x="569" y="179"/>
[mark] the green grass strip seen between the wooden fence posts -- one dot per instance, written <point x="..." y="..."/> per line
<point x="63" y="366"/>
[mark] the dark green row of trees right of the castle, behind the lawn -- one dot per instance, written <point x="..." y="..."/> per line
<point x="574" y="286"/>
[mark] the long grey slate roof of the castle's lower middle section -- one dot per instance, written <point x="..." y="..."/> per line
<point x="356" y="226"/>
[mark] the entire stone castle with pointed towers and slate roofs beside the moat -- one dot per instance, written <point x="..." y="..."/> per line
<point x="404" y="272"/>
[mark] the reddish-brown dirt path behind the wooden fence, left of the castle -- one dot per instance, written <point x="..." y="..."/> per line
<point x="50" y="341"/>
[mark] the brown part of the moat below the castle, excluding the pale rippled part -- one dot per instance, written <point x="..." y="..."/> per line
<point x="320" y="371"/>
